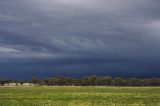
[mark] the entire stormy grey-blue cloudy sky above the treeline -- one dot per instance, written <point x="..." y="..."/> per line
<point x="79" y="37"/>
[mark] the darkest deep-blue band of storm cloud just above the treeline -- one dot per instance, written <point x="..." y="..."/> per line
<point x="45" y="70"/>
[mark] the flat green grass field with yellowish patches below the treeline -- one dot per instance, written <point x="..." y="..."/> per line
<point x="79" y="96"/>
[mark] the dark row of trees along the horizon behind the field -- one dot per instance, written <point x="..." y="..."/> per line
<point x="87" y="81"/>
